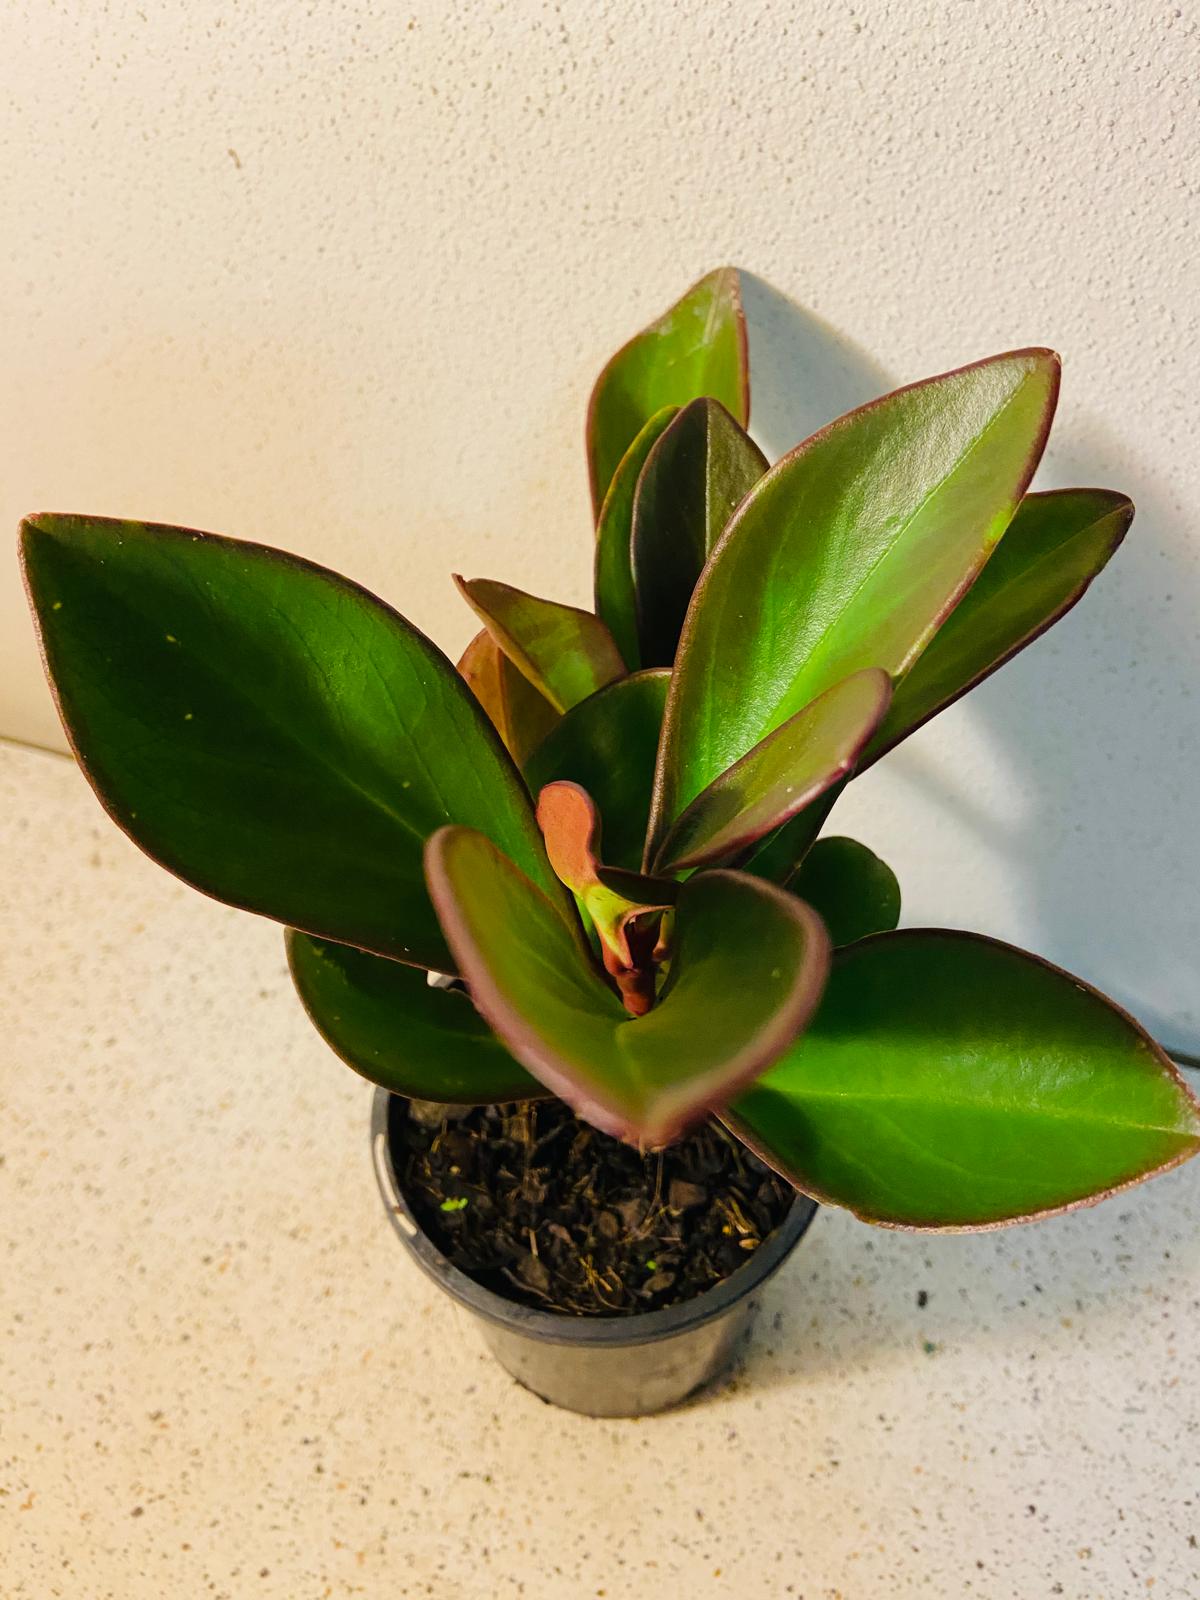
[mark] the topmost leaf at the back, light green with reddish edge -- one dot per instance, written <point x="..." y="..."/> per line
<point x="698" y="348"/>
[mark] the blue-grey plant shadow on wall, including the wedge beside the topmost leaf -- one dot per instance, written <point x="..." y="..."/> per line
<point x="1100" y="759"/>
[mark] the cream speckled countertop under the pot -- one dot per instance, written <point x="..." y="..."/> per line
<point x="220" y="1377"/>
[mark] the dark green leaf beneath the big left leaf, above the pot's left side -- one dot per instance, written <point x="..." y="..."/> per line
<point x="391" y="1025"/>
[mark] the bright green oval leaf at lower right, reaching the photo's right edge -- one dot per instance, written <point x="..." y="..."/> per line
<point x="950" y="1081"/>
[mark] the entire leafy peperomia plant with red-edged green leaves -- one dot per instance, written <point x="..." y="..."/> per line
<point x="609" y="826"/>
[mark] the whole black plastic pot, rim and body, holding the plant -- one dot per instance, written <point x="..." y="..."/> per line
<point x="598" y="1366"/>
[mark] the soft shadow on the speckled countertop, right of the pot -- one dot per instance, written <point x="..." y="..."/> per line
<point x="857" y="1298"/>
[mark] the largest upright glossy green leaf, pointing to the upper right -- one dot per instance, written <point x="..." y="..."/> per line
<point x="849" y="554"/>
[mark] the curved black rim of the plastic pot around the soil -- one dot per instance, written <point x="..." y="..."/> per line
<point x="559" y="1327"/>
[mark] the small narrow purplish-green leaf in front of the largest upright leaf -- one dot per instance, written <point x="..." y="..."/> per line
<point x="782" y="775"/>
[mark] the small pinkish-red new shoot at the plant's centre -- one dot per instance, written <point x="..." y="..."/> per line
<point x="626" y="924"/>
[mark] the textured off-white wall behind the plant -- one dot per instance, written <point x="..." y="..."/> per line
<point x="340" y="278"/>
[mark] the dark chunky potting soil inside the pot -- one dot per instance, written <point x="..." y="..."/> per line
<point x="548" y="1212"/>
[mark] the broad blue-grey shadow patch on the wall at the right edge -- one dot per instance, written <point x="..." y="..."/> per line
<point x="1113" y="812"/>
